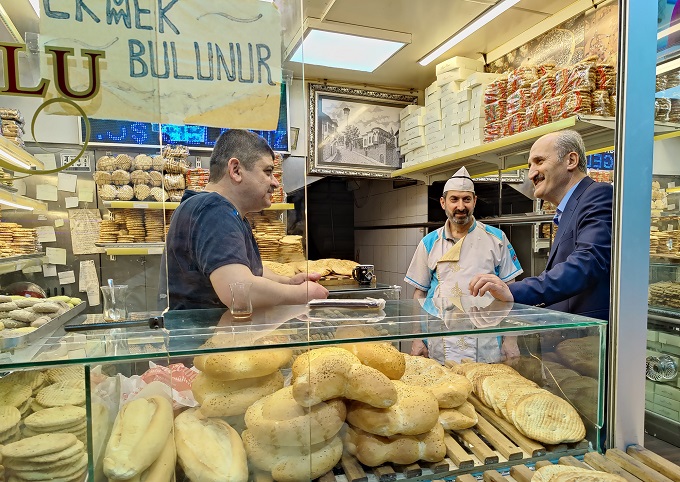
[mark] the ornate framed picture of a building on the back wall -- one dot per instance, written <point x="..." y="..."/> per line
<point x="367" y="145"/>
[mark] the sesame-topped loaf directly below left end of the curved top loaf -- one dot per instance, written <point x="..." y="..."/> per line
<point x="278" y="419"/>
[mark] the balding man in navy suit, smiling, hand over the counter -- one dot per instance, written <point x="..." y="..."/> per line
<point x="576" y="278"/>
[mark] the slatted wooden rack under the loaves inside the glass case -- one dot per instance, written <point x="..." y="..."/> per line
<point x="491" y="444"/>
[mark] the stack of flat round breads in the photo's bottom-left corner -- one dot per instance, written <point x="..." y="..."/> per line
<point x="45" y="457"/>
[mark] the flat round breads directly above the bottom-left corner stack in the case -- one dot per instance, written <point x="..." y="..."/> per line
<point x="64" y="419"/>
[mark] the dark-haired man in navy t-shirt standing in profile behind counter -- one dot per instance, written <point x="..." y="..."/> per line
<point x="210" y="243"/>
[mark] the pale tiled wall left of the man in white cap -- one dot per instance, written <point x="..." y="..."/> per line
<point x="390" y="250"/>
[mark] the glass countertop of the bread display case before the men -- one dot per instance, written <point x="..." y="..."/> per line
<point x="289" y="326"/>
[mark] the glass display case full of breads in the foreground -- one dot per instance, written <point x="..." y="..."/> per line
<point x="226" y="387"/>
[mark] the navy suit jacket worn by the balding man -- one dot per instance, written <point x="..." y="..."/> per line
<point x="576" y="278"/>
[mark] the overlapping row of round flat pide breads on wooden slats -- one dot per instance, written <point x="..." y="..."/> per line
<point x="534" y="411"/>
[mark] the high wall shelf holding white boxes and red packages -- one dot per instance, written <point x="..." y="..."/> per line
<point x="511" y="152"/>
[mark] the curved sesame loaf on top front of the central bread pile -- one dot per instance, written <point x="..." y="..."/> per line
<point x="332" y="375"/>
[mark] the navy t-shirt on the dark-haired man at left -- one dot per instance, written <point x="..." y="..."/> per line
<point x="206" y="232"/>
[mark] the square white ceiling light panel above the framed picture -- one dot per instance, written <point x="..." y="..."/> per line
<point x="343" y="46"/>
